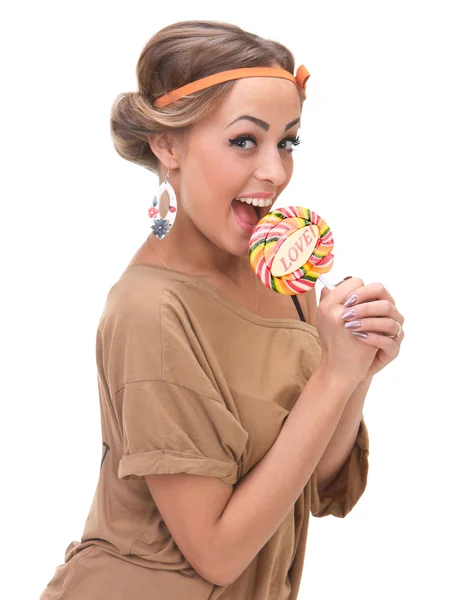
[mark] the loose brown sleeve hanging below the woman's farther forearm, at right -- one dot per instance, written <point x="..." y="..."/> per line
<point x="340" y="497"/>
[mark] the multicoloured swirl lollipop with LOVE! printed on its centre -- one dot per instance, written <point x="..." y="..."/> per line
<point x="290" y="248"/>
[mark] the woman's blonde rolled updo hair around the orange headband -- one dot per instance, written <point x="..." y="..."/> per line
<point x="179" y="54"/>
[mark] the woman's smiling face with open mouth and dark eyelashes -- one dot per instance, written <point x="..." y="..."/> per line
<point x="243" y="148"/>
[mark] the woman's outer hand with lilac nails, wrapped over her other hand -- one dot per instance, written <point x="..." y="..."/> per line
<point x="371" y="313"/>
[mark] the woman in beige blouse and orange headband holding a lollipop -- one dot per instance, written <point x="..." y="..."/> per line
<point x="229" y="412"/>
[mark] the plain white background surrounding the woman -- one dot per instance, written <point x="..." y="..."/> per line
<point x="378" y="160"/>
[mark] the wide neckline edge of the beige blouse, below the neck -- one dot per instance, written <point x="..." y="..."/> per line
<point x="229" y="304"/>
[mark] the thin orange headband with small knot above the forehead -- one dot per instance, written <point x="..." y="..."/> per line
<point x="302" y="75"/>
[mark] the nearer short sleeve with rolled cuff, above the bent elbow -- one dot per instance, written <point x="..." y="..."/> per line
<point x="171" y="428"/>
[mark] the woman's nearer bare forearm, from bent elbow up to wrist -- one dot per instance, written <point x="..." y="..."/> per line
<point x="263" y="498"/>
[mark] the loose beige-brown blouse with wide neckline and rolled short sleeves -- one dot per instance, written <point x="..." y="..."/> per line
<point x="191" y="382"/>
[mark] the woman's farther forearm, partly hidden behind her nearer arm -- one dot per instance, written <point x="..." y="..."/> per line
<point x="343" y="439"/>
